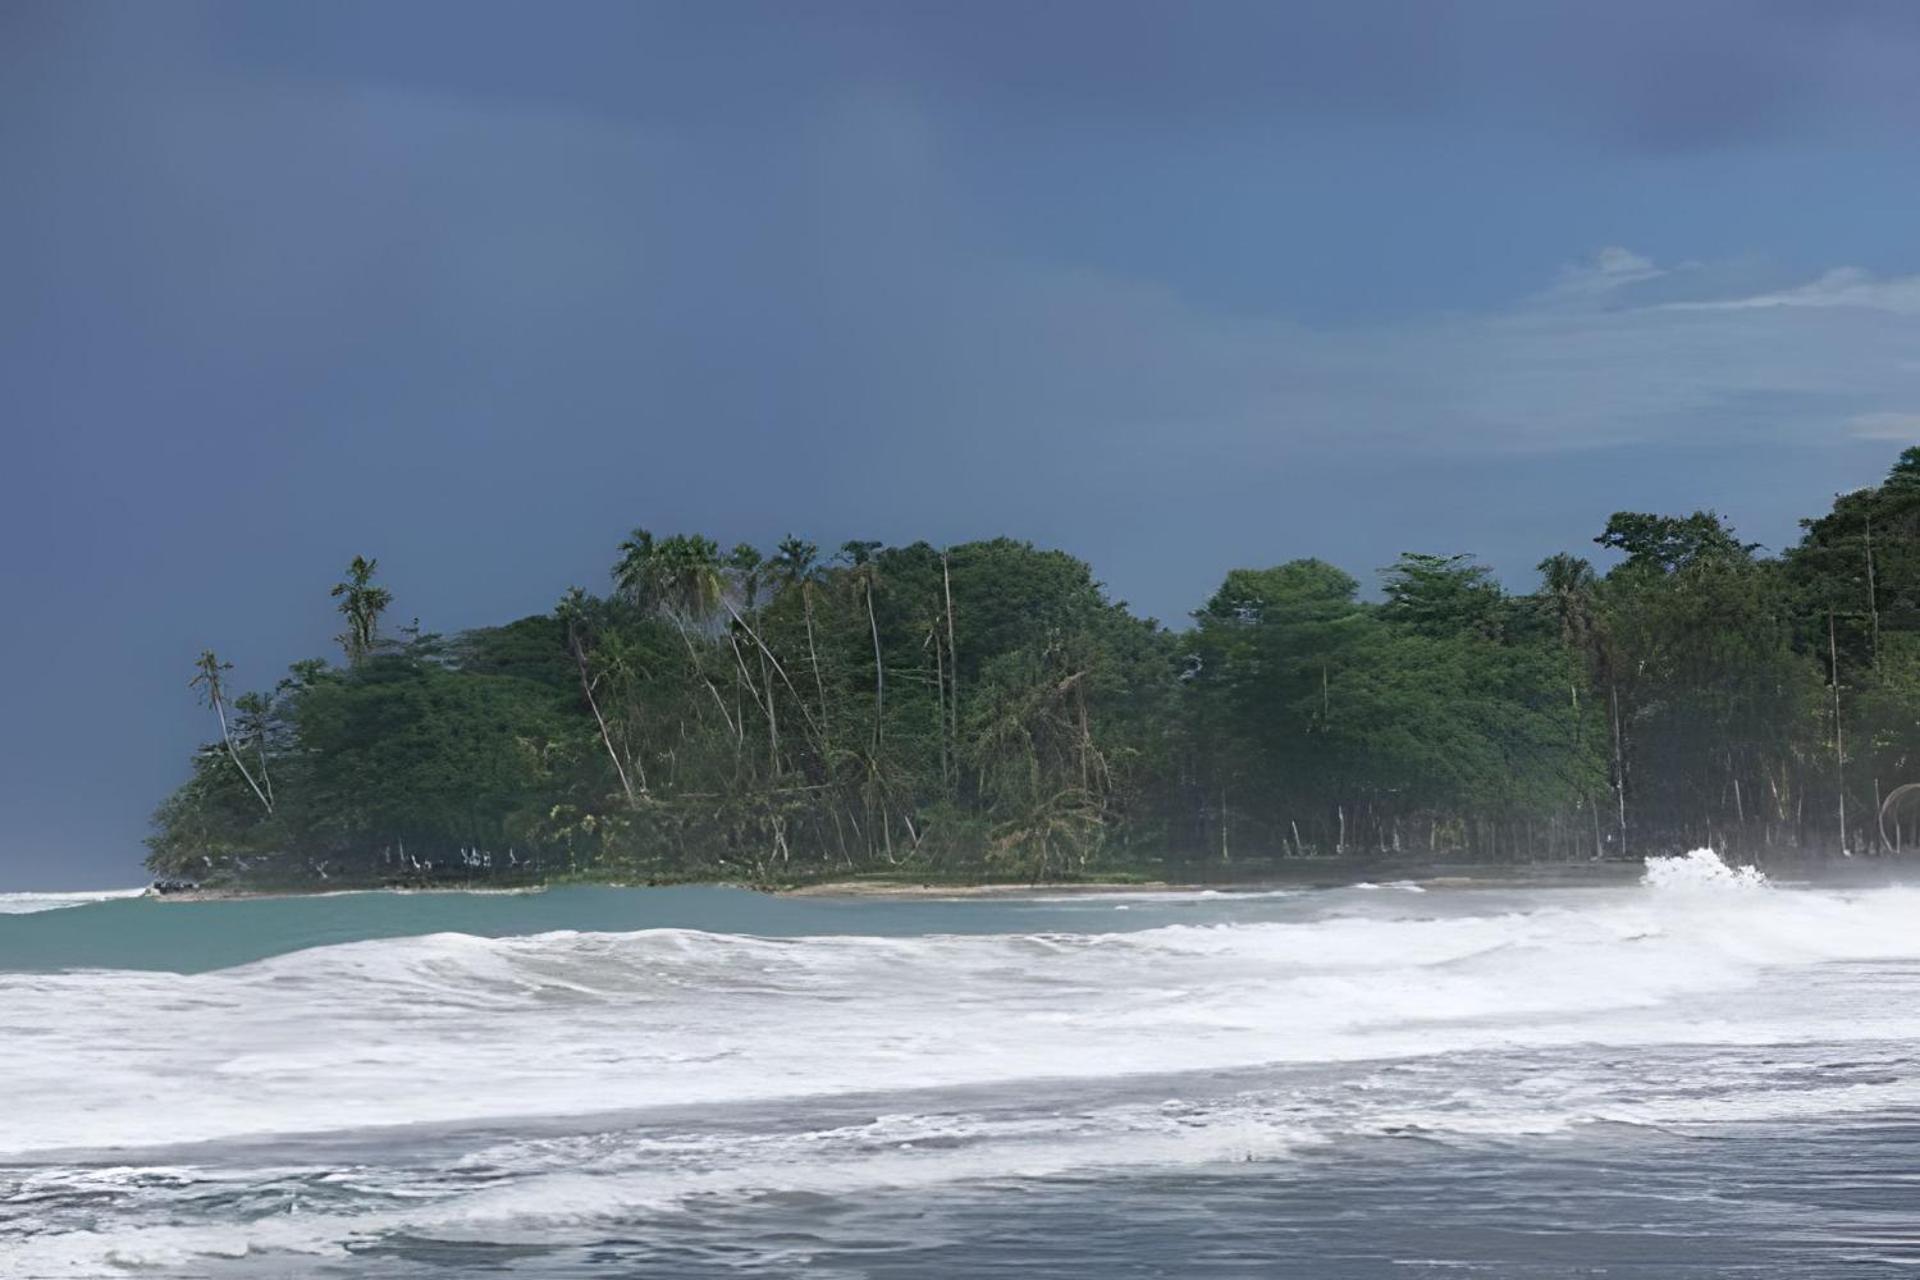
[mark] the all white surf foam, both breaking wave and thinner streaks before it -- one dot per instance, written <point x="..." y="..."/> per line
<point x="1378" y="1012"/>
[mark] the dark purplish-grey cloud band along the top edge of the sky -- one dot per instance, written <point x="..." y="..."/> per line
<point x="1639" y="72"/>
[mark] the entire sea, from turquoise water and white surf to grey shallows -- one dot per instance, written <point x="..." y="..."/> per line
<point x="1381" y="1079"/>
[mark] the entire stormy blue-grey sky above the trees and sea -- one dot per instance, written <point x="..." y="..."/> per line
<point x="475" y="289"/>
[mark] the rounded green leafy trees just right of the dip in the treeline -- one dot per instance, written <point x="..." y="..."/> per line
<point x="1358" y="726"/>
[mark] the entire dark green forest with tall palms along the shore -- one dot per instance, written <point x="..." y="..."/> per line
<point x="988" y="713"/>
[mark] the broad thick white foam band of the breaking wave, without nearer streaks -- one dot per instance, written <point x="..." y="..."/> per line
<point x="454" y="1028"/>
